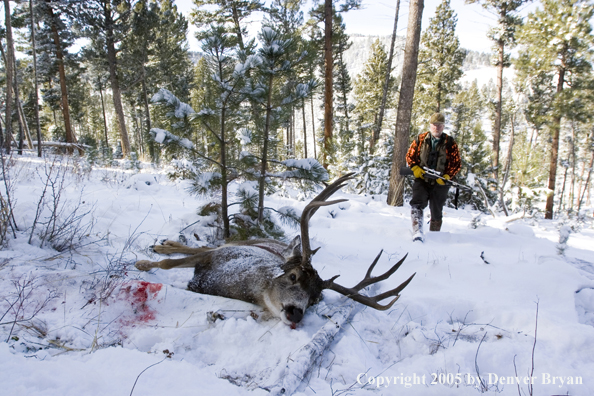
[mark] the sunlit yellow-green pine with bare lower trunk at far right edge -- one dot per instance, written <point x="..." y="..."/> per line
<point x="556" y="41"/>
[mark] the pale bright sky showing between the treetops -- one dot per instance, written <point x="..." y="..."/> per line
<point x="377" y="18"/>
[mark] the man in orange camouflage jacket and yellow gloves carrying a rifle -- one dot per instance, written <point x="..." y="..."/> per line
<point x="432" y="150"/>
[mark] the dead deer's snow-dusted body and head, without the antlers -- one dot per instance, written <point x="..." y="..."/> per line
<point x="264" y="272"/>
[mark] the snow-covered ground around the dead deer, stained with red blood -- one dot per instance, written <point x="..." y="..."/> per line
<point x="470" y="311"/>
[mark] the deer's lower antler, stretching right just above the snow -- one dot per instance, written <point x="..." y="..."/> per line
<point x="373" y="302"/>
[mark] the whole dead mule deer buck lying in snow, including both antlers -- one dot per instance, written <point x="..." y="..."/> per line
<point x="276" y="276"/>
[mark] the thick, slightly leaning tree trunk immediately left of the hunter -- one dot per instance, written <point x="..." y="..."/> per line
<point x="405" y="102"/>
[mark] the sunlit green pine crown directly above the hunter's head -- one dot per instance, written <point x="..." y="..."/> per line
<point x="440" y="63"/>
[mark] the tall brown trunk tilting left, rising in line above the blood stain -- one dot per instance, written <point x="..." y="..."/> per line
<point x="115" y="85"/>
